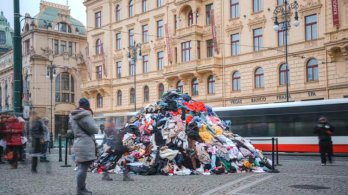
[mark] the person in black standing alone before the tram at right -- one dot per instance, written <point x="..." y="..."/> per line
<point x="324" y="130"/>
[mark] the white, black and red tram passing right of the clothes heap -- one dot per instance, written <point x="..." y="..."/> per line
<point x="292" y="123"/>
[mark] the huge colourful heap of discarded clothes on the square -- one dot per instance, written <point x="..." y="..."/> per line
<point x="180" y="136"/>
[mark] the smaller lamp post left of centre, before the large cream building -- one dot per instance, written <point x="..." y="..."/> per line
<point x="134" y="54"/>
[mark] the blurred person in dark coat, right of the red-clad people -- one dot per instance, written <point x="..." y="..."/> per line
<point x="37" y="135"/>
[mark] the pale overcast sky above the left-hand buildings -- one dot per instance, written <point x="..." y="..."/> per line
<point x="77" y="9"/>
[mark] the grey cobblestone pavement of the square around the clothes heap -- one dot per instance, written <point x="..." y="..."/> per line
<point x="294" y="172"/>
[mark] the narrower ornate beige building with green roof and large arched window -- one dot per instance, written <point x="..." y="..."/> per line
<point x="53" y="37"/>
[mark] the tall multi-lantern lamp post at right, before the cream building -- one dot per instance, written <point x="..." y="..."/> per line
<point x="284" y="11"/>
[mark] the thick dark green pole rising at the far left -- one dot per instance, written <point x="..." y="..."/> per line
<point x="17" y="59"/>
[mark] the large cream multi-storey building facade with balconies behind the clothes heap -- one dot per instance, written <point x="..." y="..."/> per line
<point x="226" y="57"/>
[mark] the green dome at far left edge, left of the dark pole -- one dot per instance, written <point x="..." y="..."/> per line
<point x="6" y="34"/>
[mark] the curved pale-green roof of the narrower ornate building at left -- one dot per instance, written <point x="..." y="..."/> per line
<point x="51" y="13"/>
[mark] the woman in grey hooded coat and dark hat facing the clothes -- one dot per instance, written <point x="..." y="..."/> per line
<point x="84" y="127"/>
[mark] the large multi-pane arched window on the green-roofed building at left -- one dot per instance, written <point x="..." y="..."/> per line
<point x="65" y="88"/>
